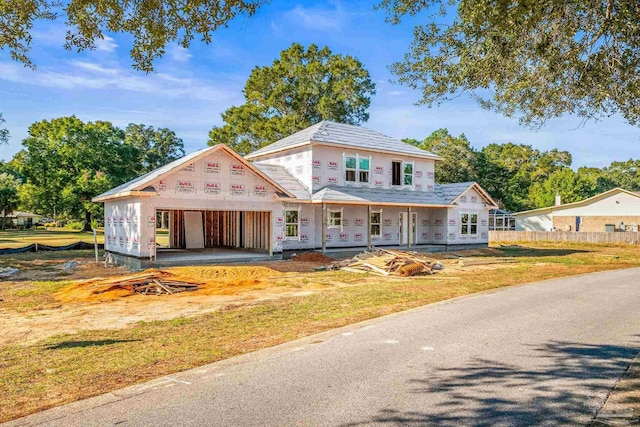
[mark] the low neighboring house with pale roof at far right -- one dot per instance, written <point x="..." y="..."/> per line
<point x="613" y="210"/>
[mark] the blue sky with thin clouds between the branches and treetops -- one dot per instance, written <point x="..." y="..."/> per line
<point x="190" y="88"/>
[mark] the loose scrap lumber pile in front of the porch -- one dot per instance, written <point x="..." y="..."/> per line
<point x="388" y="262"/>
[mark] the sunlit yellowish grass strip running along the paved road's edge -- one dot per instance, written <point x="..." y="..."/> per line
<point x="69" y="367"/>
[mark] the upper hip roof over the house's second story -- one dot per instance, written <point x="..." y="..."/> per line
<point x="342" y="135"/>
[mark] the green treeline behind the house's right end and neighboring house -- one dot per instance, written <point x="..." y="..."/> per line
<point x="520" y="177"/>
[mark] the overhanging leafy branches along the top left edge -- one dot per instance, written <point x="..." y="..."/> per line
<point x="152" y="24"/>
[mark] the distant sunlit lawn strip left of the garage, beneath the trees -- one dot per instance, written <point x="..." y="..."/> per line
<point x="53" y="237"/>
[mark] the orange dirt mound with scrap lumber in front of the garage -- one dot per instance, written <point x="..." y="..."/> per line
<point x="153" y="283"/>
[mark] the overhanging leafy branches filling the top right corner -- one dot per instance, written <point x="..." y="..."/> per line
<point x="535" y="60"/>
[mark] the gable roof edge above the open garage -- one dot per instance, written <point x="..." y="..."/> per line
<point x="138" y="186"/>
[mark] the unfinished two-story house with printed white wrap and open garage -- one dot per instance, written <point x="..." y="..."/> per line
<point x="328" y="186"/>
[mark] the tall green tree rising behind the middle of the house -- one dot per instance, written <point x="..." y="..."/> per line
<point x="301" y="88"/>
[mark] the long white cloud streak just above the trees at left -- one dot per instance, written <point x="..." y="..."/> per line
<point x="88" y="75"/>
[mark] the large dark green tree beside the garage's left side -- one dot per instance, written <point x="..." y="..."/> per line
<point x="66" y="162"/>
